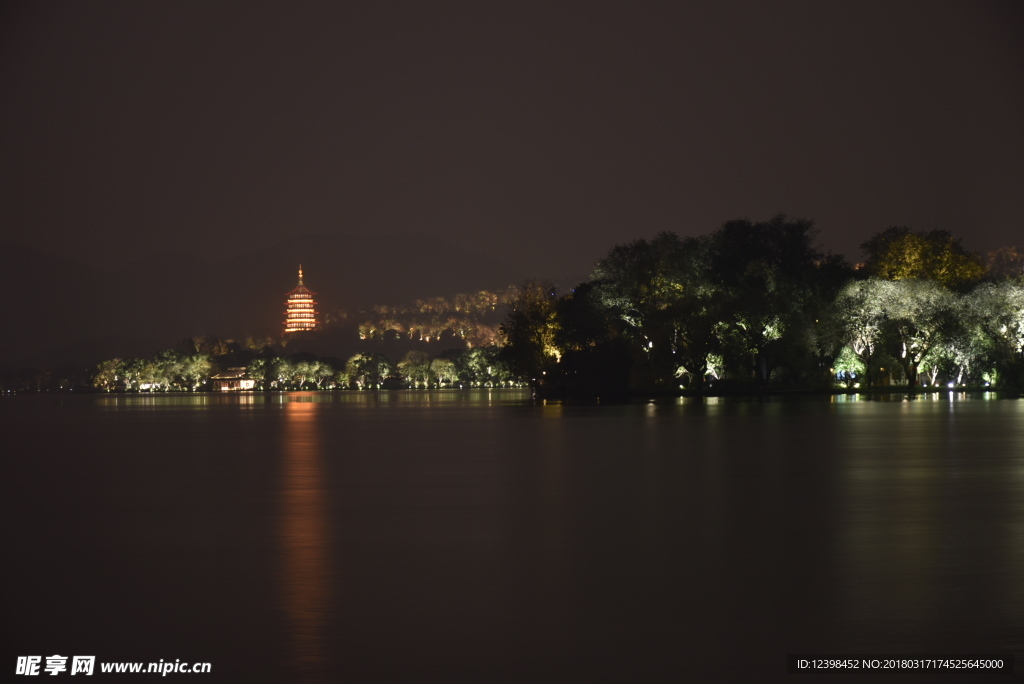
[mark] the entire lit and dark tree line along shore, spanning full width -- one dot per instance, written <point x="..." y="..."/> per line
<point x="751" y="308"/>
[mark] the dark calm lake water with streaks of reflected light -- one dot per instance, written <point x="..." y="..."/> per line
<point x="478" y="537"/>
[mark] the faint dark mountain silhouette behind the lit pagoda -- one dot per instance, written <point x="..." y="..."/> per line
<point x="62" y="313"/>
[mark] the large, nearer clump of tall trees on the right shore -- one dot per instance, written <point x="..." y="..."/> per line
<point x="756" y="307"/>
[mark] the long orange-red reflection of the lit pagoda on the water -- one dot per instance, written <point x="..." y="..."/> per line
<point x="306" y="576"/>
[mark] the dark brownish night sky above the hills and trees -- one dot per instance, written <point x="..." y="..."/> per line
<point x="540" y="134"/>
